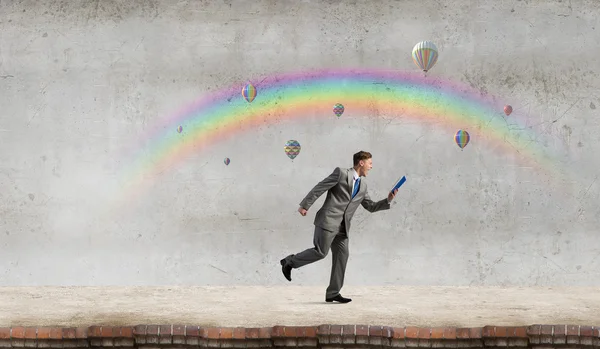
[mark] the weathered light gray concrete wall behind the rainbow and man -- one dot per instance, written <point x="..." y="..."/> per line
<point x="83" y="82"/>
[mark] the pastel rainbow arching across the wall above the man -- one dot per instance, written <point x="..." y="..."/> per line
<point x="217" y="117"/>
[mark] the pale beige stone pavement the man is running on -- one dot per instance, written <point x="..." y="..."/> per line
<point x="256" y="306"/>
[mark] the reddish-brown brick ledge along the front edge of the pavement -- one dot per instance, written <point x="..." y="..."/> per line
<point x="323" y="336"/>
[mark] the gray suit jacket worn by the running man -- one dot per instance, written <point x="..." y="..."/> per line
<point x="338" y="205"/>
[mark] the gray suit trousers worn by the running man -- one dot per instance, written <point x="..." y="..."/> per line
<point x="324" y="240"/>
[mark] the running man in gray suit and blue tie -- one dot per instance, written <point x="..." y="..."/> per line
<point x="346" y="189"/>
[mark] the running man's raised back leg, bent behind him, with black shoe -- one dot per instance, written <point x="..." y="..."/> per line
<point x="322" y="241"/>
